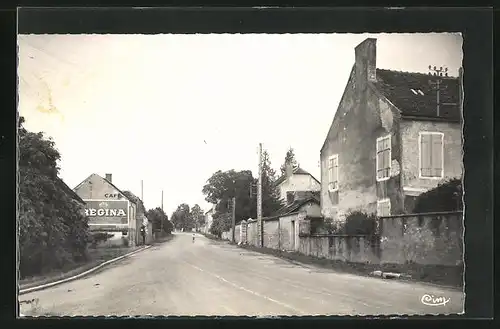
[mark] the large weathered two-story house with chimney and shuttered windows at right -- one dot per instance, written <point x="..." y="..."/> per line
<point x="392" y="138"/>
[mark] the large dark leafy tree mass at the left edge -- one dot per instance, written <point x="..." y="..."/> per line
<point x="53" y="230"/>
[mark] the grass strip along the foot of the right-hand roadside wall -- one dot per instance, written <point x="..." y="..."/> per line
<point x="449" y="276"/>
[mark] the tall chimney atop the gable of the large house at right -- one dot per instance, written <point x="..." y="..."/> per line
<point x="366" y="61"/>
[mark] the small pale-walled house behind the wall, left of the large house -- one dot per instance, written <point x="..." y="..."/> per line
<point x="296" y="180"/>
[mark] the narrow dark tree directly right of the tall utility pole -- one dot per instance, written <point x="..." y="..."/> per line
<point x="270" y="194"/>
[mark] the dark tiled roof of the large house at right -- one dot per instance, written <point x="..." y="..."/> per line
<point x="396" y="87"/>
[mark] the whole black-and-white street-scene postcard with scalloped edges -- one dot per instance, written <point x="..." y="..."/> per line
<point x="240" y="174"/>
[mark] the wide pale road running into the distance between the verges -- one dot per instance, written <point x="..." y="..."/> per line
<point x="213" y="278"/>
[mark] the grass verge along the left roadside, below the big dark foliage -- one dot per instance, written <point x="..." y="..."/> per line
<point x="96" y="257"/>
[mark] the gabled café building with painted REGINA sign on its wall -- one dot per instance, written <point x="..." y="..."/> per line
<point x="110" y="210"/>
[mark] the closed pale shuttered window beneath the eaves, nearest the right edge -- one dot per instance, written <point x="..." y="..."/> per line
<point x="431" y="155"/>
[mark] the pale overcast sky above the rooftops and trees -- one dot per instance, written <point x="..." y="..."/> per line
<point x="172" y="109"/>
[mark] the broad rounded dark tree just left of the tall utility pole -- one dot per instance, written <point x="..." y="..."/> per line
<point x="221" y="187"/>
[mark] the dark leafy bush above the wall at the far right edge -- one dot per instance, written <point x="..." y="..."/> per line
<point x="445" y="197"/>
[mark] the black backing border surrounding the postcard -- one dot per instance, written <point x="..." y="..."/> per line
<point x="475" y="24"/>
